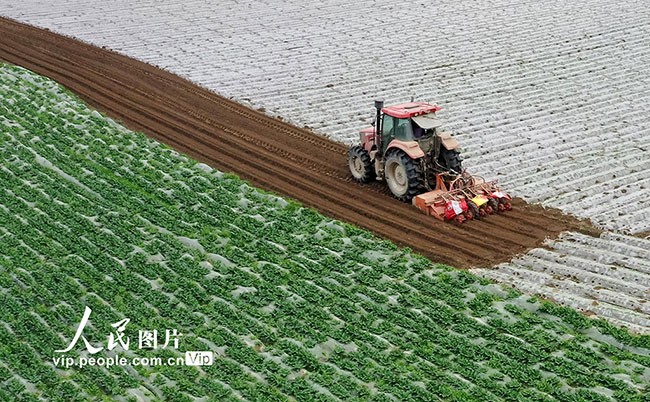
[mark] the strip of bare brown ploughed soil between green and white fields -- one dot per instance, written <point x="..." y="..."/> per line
<point x="267" y="152"/>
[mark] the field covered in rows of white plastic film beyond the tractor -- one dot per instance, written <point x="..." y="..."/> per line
<point x="549" y="97"/>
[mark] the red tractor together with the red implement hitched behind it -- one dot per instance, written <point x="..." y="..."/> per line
<point x="420" y="162"/>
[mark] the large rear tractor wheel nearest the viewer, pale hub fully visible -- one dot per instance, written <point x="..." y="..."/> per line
<point x="403" y="175"/>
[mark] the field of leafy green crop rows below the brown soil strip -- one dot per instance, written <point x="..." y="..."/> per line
<point x="294" y="304"/>
